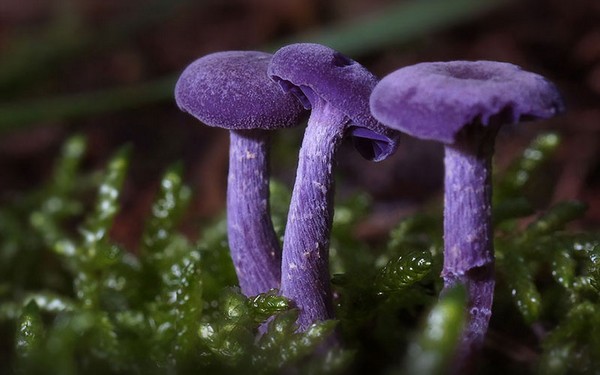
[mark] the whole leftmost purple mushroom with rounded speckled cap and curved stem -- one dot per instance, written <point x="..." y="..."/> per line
<point x="231" y="90"/>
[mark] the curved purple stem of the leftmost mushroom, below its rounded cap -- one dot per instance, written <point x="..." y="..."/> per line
<point x="254" y="246"/>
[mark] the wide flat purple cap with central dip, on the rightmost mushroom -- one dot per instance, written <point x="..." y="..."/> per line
<point x="436" y="100"/>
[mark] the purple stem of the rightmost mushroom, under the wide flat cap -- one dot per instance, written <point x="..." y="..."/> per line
<point x="468" y="232"/>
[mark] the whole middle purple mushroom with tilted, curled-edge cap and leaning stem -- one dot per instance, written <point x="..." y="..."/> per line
<point x="337" y="90"/>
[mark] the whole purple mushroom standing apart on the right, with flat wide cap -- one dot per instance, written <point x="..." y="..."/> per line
<point x="462" y="105"/>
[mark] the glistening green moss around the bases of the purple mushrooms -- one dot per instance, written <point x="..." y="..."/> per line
<point x="74" y="301"/>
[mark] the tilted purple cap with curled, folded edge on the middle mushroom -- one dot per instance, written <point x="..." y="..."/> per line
<point x="307" y="69"/>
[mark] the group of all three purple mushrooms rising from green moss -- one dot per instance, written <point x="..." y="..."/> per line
<point x="461" y="104"/>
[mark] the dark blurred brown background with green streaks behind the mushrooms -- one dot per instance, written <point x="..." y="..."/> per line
<point x="106" y="68"/>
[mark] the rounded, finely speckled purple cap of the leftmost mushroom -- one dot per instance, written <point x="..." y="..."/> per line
<point x="231" y="90"/>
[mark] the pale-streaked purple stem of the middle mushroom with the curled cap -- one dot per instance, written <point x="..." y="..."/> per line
<point x="305" y="264"/>
